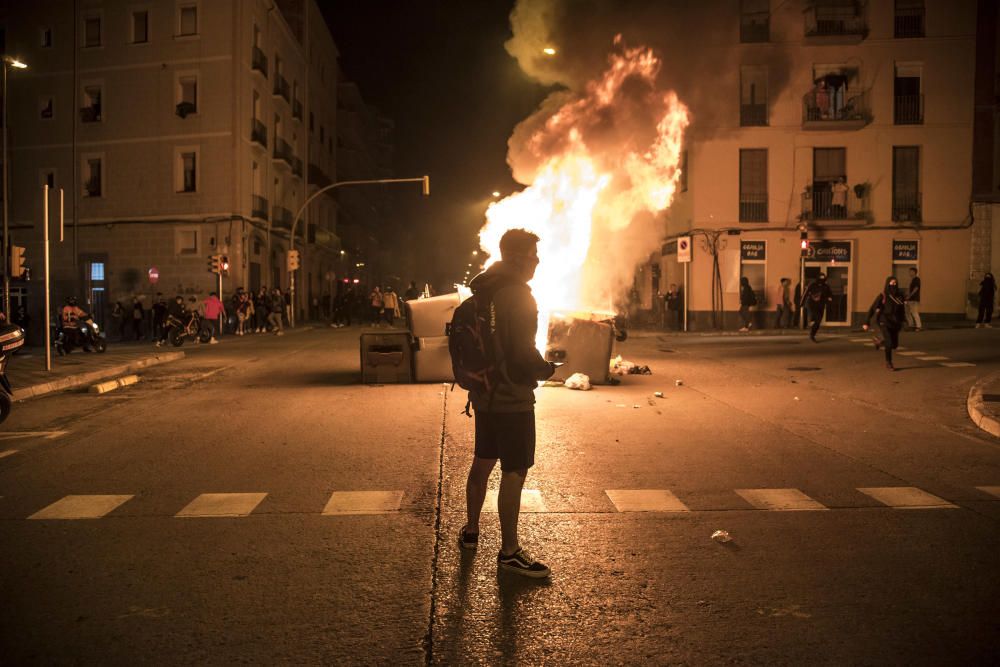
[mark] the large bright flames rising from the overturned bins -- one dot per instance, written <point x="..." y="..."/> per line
<point x="597" y="170"/>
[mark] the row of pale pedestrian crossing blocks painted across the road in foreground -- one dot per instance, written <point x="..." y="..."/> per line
<point x="356" y="503"/>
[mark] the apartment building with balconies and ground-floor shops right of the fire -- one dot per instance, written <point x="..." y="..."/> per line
<point x="844" y="123"/>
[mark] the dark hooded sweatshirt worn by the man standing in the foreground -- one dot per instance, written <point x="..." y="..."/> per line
<point x="521" y="366"/>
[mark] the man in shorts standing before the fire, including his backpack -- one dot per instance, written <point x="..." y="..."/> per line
<point x="493" y="354"/>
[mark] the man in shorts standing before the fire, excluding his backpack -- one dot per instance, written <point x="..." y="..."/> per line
<point x="505" y="419"/>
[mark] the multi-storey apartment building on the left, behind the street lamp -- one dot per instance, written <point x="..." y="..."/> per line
<point x="178" y="129"/>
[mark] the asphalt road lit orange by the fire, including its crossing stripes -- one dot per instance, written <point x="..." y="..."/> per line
<point x="306" y="573"/>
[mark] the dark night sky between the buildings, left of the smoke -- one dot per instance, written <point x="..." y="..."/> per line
<point x="440" y="72"/>
